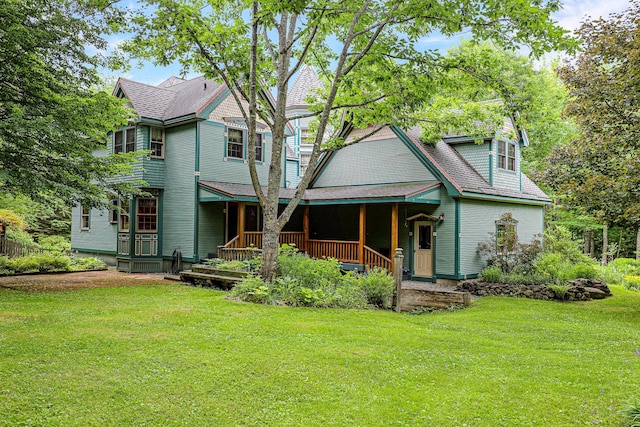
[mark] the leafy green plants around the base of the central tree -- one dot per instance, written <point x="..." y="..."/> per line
<point x="303" y="281"/>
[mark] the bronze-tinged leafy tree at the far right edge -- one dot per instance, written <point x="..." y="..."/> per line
<point x="600" y="172"/>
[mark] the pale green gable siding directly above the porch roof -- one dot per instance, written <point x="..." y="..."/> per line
<point x="373" y="162"/>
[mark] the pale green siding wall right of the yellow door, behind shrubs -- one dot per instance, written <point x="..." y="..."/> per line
<point x="477" y="222"/>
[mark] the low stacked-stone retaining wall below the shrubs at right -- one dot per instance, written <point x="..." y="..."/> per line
<point x="581" y="290"/>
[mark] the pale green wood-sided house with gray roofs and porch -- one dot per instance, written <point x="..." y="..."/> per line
<point x="436" y="202"/>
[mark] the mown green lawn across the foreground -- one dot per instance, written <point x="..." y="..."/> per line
<point x="177" y="355"/>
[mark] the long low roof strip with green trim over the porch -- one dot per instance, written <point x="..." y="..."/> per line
<point x="413" y="192"/>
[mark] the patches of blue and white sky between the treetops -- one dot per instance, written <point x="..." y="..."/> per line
<point x="570" y="17"/>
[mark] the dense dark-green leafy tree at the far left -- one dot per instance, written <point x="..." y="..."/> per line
<point x="52" y="117"/>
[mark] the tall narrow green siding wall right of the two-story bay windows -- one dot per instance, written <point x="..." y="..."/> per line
<point x="179" y="190"/>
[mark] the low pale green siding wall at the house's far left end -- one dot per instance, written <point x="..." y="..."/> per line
<point x="101" y="236"/>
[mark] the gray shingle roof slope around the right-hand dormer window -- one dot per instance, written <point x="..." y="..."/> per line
<point x="464" y="177"/>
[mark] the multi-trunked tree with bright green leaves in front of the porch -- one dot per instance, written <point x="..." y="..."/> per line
<point x="365" y="52"/>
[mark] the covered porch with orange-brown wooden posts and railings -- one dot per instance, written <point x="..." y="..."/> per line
<point x="362" y="231"/>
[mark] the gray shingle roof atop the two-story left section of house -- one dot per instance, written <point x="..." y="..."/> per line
<point x="172" y="99"/>
